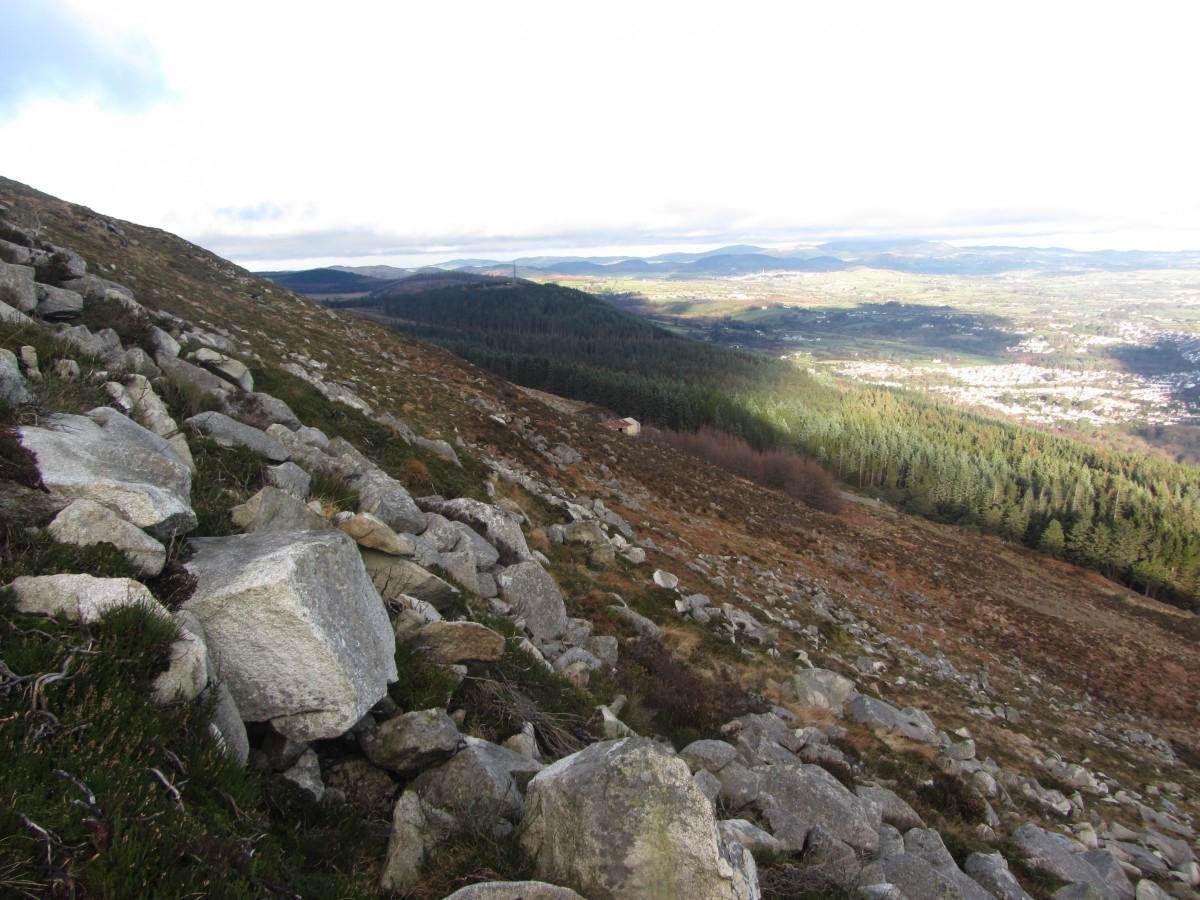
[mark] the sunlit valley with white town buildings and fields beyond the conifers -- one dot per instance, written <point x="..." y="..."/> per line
<point x="1070" y="351"/>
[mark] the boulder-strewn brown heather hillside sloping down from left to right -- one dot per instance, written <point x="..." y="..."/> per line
<point x="844" y="703"/>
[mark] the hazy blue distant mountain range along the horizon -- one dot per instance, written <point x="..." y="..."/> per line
<point x="904" y="256"/>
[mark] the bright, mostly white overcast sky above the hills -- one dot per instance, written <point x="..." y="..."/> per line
<point x="290" y="135"/>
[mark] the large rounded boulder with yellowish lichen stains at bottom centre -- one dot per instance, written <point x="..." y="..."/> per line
<point x="626" y="820"/>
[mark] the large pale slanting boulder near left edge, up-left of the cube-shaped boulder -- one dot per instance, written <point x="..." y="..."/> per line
<point x="107" y="458"/>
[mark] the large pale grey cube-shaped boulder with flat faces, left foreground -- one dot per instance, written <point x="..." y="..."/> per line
<point x="303" y="638"/>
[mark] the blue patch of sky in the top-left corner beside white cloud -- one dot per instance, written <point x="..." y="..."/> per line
<point x="46" y="53"/>
